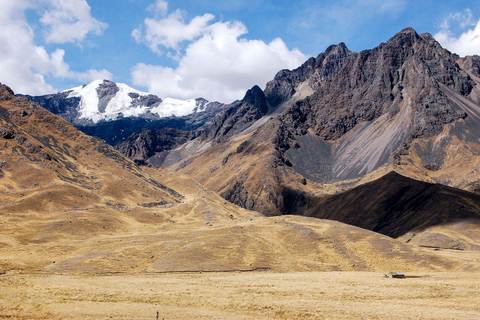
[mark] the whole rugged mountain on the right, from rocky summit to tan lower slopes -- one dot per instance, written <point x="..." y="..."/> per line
<point x="341" y="119"/>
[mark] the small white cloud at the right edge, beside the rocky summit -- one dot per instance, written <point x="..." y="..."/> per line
<point x="468" y="42"/>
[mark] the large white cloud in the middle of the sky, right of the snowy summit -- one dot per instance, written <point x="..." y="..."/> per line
<point x="214" y="61"/>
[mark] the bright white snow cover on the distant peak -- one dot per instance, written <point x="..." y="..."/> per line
<point x="106" y="100"/>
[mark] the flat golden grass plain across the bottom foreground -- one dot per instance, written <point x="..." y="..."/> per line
<point x="240" y="295"/>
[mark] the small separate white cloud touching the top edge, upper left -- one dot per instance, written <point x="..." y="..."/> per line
<point x="69" y="21"/>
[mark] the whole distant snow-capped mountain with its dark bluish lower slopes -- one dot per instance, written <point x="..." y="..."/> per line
<point x="113" y="111"/>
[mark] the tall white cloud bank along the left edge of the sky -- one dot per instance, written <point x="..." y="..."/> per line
<point x="24" y="66"/>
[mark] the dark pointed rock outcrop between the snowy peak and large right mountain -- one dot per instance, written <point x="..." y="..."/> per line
<point x="238" y="116"/>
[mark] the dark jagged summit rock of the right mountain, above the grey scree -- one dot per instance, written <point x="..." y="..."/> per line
<point x="363" y="86"/>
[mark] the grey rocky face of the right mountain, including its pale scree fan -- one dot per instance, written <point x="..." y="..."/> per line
<point x="389" y="96"/>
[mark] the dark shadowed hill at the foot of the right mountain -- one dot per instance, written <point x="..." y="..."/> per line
<point x="395" y="205"/>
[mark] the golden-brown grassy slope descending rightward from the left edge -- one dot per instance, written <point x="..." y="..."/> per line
<point x="47" y="164"/>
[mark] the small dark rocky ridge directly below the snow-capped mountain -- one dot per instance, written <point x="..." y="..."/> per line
<point x="146" y="143"/>
